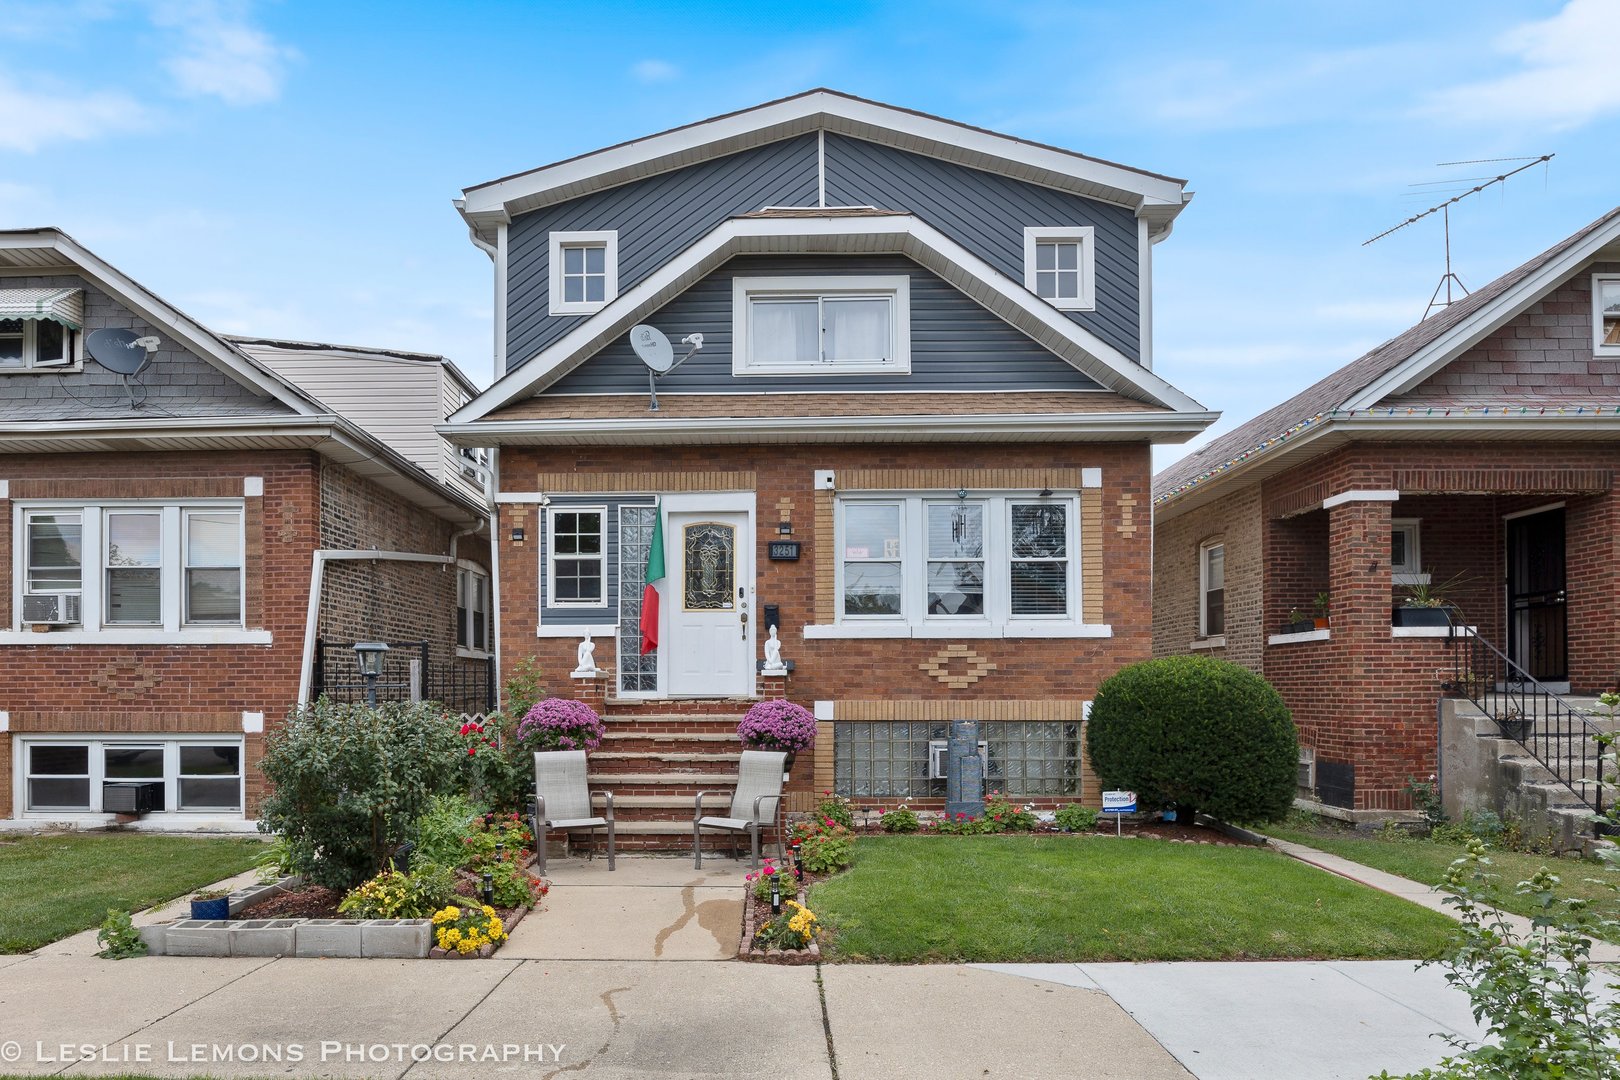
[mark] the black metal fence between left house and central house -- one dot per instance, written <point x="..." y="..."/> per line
<point x="466" y="686"/>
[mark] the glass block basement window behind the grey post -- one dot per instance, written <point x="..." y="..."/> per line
<point x="890" y="760"/>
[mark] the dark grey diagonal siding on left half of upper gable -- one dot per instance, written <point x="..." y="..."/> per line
<point x="657" y="219"/>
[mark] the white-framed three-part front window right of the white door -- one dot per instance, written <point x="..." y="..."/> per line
<point x="937" y="561"/>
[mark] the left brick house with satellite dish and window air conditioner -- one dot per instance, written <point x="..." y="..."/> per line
<point x="161" y="538"/>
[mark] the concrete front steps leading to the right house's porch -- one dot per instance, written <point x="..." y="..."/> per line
<point x="1481" y="770"/>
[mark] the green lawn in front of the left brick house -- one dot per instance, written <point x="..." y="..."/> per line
<point x="53" y="887"/>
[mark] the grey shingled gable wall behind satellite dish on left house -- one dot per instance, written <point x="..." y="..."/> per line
<point x="174" y="385"/>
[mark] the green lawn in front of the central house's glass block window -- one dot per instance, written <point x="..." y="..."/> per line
<point x="1028" y="899"/>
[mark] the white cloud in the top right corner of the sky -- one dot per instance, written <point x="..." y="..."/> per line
<point x="1567" y="74"/>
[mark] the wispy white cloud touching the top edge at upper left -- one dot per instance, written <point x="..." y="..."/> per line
<point x="221" y="54"/>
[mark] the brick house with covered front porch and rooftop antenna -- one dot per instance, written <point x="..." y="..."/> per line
<point x="1475" y="453"/>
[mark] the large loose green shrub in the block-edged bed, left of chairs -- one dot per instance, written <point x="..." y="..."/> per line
<point x="349" y="784"/>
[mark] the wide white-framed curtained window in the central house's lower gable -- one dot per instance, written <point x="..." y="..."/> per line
<point x="812" y="326"/>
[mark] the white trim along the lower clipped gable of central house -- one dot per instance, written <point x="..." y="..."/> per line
<point x="905" y="234"/>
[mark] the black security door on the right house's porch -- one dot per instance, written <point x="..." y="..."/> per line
<point x="1538" y="621"/>
